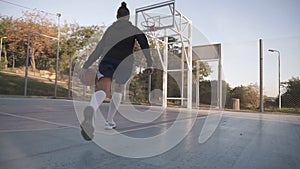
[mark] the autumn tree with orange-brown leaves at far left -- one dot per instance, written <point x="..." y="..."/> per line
<point x="17" y="35"/>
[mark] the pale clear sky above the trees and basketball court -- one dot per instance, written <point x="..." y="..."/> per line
<point x="236" y="24"/>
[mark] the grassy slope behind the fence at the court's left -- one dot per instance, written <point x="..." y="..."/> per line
<point x="14" y="85"/>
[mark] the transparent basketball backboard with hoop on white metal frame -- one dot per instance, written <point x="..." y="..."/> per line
<point x="155" y="17"/>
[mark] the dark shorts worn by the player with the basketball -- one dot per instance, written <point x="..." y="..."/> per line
<point x="121" y="73"/>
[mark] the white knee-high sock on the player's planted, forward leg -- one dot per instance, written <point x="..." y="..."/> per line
<point x="113" y="106"/>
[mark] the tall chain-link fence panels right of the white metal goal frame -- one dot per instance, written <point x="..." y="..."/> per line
<point x="280" y="69"/>
